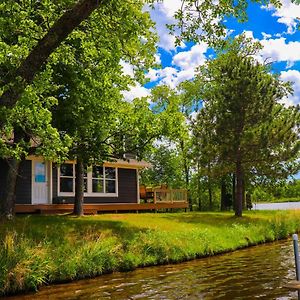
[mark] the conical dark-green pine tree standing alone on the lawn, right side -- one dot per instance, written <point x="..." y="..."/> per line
<point x="242" y="119"/>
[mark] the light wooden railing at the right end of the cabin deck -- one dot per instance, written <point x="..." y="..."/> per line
<point x="169" y="195"/>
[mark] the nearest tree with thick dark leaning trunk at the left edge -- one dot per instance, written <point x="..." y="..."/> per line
<point x="31" y="31"/>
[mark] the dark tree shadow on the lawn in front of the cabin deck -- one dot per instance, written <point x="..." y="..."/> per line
<point x="58" y="229"/>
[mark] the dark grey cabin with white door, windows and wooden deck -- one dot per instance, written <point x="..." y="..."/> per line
<point x="45" y="187"/>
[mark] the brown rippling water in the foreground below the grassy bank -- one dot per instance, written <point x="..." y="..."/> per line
<point x="255" y="273"/>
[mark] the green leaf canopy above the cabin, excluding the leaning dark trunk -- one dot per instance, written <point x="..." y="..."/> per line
<point x="81" y="82"/>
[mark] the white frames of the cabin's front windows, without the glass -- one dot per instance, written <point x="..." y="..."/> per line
<point x="89" y="183"/>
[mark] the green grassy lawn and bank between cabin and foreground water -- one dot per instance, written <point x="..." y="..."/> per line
<point x="37" y="250"/>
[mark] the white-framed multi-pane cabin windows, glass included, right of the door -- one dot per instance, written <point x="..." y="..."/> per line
<point x="98" y="181"/>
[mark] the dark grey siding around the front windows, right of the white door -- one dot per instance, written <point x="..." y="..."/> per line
<point x="127" y="188"/>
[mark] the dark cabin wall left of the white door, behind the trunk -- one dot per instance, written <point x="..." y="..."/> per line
<point x="23" y="190"/>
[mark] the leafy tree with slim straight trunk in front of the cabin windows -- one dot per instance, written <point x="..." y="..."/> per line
<point x="91" y="108"/>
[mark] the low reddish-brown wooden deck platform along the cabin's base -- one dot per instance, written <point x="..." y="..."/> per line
<point x="97" y="208"/>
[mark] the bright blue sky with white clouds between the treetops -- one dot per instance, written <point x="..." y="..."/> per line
<point x="275" y="28"/>
